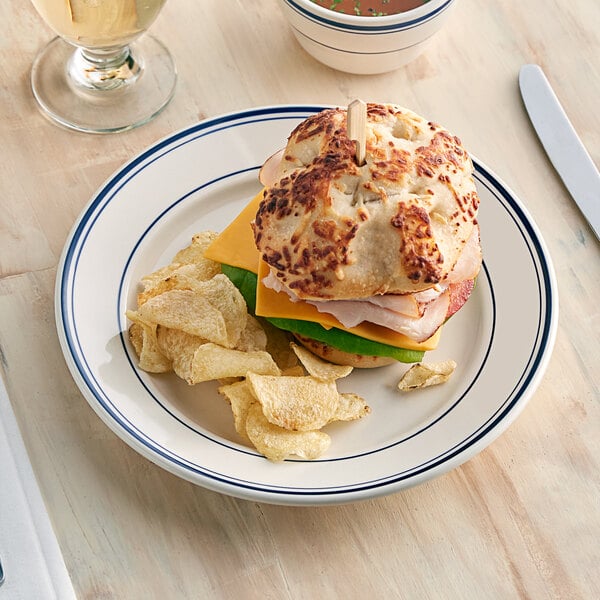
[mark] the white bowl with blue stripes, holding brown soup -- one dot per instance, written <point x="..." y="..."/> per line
<point x="364" y="45"/>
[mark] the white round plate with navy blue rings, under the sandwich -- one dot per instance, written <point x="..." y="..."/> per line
<point x="199" y="179"/>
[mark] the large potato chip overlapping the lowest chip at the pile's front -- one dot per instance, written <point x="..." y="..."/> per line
<point x="295" y="403"/>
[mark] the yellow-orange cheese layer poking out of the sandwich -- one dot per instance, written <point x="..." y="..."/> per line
<point x="235" y="246"/>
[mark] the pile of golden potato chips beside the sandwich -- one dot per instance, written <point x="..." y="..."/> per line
<point x="192" y="320"/>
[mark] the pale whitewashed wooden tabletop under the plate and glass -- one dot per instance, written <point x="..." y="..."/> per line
<point x="519" y="520"/>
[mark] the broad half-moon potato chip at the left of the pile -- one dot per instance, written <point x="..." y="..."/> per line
<point x="188" y="311"/>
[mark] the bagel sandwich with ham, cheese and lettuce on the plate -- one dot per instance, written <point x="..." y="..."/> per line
<point x="362" y="263"/>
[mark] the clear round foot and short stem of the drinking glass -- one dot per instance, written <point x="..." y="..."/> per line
<point x="103" y="94"/>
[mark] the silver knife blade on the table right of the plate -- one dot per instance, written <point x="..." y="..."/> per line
<point x="565" y="150"/>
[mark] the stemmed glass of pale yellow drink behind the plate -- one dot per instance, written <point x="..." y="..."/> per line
<point x="101" y="74"/>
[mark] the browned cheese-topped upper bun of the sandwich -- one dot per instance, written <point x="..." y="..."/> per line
<point x="332" y="229"/>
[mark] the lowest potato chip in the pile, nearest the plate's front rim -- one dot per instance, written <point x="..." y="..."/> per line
<point x="277" y="443"/>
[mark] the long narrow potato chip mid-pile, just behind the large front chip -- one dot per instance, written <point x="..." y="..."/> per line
<point x="215" y="362"/>
